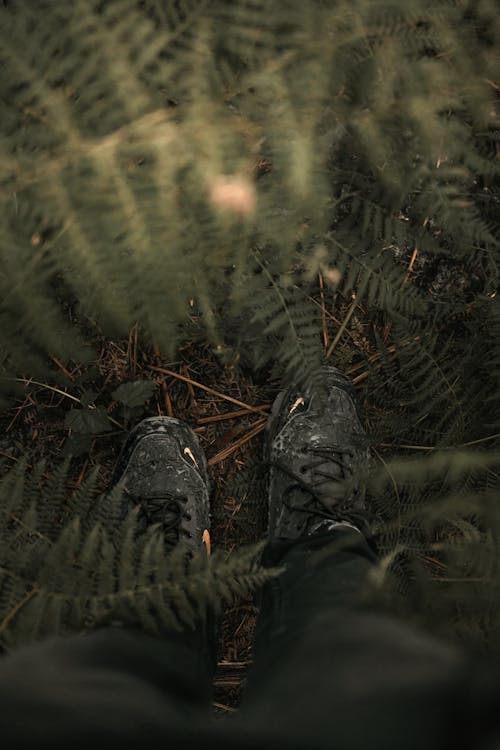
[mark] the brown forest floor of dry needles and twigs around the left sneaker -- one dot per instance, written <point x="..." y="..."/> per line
<point x="228" y="411"/>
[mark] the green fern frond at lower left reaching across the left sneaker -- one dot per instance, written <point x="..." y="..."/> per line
<point x="103" y="572"/>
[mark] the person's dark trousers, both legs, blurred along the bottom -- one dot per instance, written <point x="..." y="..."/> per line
<point x="328" y="673"/>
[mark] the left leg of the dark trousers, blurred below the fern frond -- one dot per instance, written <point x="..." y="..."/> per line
<point x="112" y="684"/>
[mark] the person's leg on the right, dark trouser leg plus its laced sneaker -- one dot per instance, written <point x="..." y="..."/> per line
<point x="328" y="671"/>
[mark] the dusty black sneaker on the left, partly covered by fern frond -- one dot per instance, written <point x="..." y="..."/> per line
<point x="164" y="471"/>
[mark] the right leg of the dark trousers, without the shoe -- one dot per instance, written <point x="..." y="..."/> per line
<point x="330" y="673"/>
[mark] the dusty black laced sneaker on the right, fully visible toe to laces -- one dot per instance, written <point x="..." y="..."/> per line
<point x="317" y="451"/>
